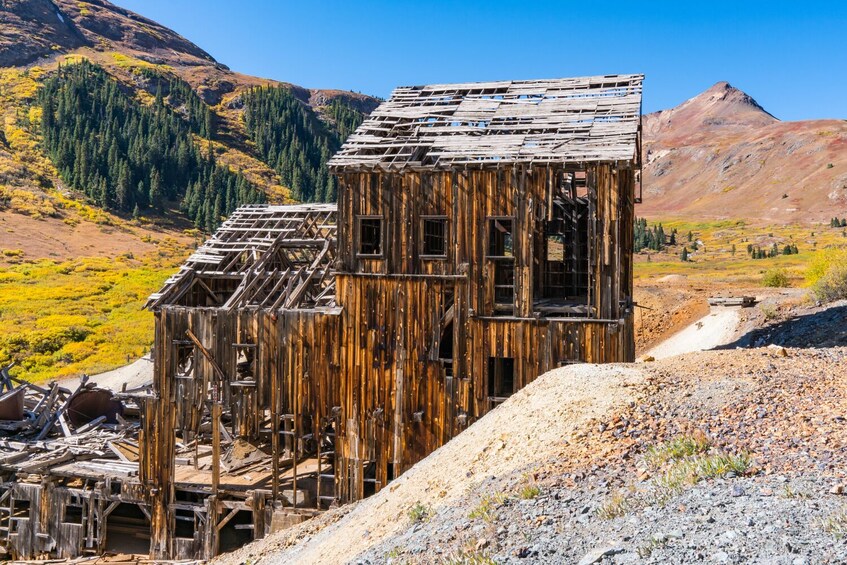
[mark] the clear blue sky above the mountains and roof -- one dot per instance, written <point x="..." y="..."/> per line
<point x="790" y="56"/>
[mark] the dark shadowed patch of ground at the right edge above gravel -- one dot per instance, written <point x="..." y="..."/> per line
<point x="823" y="328"/>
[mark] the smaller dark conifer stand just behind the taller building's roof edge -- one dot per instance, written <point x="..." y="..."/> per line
<point x="295" y="142"/>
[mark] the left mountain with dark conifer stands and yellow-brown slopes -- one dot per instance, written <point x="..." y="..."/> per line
<point x="108" y="116"/>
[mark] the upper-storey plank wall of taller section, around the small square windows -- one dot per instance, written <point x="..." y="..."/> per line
<point x="468" y="198"/>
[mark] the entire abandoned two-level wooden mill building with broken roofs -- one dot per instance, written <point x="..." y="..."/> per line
<point x="306" y="355"/>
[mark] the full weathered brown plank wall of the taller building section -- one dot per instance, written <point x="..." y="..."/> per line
<point x="399" y="402"/>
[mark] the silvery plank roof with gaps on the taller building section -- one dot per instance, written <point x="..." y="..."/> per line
<point x="495" y="123"/>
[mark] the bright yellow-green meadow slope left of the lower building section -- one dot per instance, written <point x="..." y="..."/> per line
<point x="82" y="315"/>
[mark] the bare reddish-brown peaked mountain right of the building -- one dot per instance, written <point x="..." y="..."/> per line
<point x="721" y="155"/>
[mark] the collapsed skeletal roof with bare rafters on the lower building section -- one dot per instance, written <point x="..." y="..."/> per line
<point x="263" y="256"/>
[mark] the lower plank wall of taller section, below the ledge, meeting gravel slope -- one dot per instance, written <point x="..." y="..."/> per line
<point x="398" y="405"/>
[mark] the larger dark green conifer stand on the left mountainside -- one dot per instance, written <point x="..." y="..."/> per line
<point x="128" y="157"/>
